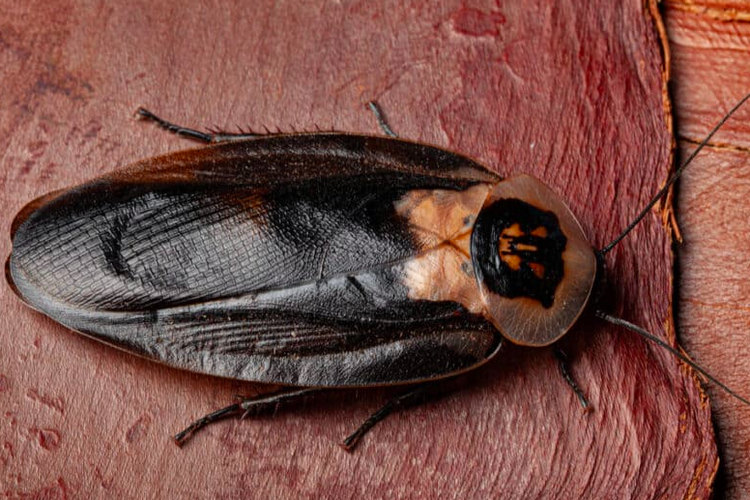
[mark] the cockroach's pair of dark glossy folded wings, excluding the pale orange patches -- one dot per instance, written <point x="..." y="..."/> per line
<point x="238" y="260"/>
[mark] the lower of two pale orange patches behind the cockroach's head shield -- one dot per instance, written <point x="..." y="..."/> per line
<point x="443" y="274"/>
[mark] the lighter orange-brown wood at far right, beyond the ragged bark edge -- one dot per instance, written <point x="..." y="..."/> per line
<point x="711" y="71"/>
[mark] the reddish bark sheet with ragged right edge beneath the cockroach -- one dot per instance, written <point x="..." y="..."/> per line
<point x="570" y="93"/>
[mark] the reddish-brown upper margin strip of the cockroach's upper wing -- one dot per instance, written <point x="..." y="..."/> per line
<point x="297" y="158"/>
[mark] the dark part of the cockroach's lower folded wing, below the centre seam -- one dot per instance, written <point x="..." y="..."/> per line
<point x="347" y="331"/>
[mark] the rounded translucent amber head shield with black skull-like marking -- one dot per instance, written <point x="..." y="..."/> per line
<point x="532" y="262"/>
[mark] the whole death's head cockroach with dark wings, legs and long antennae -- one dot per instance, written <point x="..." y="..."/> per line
<point x="316" y="261"/>
